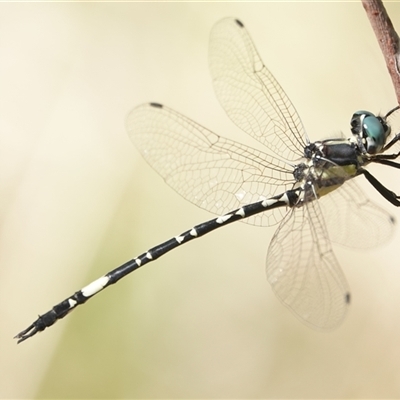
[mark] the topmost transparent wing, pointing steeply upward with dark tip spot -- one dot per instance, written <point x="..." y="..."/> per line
<point x="249" y="93"/>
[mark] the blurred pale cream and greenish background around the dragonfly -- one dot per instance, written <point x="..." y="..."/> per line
<point x="77" y="200"/>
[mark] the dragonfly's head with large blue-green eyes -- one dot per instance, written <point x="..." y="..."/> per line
<point x="371" y="131"/>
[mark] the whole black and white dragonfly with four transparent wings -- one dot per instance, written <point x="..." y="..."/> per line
<point x="306" y="188"/>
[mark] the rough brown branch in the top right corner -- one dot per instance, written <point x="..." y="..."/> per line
<point x="387" y="38"/>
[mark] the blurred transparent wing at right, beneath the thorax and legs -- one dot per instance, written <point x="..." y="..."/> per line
<point x="355" y="221"/>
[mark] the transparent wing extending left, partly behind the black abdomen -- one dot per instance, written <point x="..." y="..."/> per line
<point x="214" y="173"/>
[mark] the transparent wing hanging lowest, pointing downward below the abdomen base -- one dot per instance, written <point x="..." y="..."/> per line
<point x="303" y="270"/>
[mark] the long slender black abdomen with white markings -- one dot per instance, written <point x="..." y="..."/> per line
<point x="287" y="199"/>
